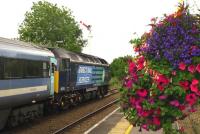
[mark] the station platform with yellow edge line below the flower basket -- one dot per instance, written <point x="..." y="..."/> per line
<point x="115" y="123"/>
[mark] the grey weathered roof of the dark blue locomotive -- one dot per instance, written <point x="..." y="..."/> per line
<point x="79" y="57"/>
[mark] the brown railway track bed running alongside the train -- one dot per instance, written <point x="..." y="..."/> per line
<point x="53" y="123"/>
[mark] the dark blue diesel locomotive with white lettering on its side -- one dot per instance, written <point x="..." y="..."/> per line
<point x="80" y="76"/>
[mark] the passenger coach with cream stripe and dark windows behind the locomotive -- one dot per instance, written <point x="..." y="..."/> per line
<point x="26" y="78"/>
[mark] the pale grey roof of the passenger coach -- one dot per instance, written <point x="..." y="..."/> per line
<point x="19" y="49"/>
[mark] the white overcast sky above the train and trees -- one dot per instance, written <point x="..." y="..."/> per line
<point x="113" y="21"/>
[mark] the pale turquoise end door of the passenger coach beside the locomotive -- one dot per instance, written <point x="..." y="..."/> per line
<point x="53" y="69"/>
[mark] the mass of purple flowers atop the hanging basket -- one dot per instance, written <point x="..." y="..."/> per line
<point x="173" y="42"/>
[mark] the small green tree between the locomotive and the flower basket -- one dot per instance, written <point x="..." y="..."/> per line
<point x="118" y="67"/>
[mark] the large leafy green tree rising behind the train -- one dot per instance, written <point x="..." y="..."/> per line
<point x="47" y="24"/>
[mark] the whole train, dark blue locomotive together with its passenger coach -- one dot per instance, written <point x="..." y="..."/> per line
<point x="34" y="79"/>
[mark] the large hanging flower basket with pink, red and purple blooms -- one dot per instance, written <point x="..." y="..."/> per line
<point x="163" y="81"/>
